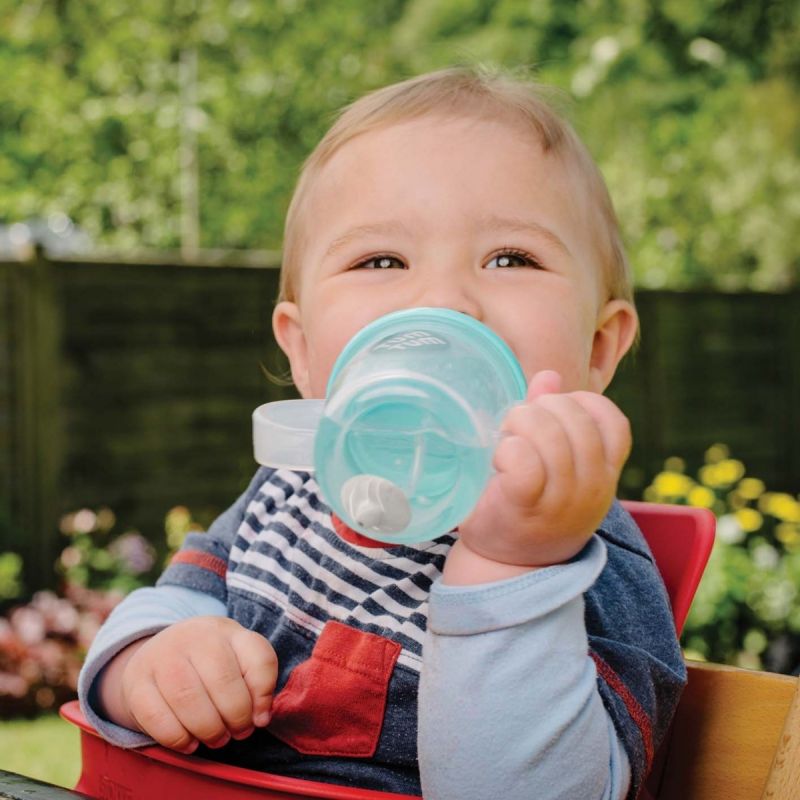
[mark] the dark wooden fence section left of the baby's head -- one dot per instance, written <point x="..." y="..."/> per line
<point x="132" y="391"/>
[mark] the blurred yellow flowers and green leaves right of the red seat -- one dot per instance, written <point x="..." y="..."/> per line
<point x="746" y="611"/>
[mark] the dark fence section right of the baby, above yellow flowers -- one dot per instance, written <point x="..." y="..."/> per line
<point x="714" y="368"/>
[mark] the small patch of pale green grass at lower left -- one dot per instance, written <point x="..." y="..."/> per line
<point x="46" y="748"/>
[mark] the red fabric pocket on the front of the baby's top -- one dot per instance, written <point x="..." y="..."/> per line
<point x="333" y="704"/>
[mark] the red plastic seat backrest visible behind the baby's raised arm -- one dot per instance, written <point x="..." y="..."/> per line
<point x="681" y="538"/>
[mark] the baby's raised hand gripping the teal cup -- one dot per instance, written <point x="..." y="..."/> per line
<point x="558" y="465"/>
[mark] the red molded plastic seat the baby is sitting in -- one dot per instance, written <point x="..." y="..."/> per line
<point x="680" y="538"/>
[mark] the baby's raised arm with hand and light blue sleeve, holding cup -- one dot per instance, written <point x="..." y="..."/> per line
<point x="509" y="704"/>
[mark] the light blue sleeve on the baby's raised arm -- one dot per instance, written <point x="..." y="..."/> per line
<point x="508" y="703"/>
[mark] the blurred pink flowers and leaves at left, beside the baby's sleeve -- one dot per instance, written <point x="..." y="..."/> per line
<point x="43" y="642"/>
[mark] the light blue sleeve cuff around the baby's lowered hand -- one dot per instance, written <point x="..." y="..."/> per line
<point x="143" y="612"/>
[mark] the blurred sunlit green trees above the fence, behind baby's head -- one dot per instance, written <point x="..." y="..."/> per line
<point x="690" y="106"/>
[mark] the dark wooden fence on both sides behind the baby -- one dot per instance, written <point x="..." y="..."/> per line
<point x="131" y="386"/>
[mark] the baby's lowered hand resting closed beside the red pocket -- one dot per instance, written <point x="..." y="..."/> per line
<point x="206" y="679"/>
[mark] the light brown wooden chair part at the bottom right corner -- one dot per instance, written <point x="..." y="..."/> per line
<point x="736" y="735"/>
